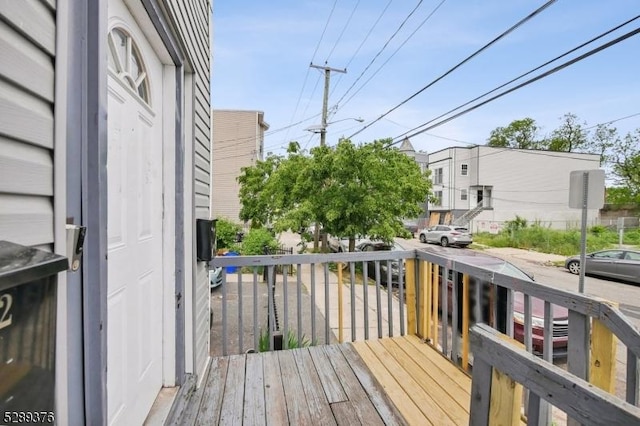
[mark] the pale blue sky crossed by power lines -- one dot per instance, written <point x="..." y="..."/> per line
<point x="262" y="51"/>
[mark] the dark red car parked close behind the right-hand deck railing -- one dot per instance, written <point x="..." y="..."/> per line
<point x="560" y="314"/>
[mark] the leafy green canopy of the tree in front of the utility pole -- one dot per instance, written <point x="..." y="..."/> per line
<point x="352" y="190"/>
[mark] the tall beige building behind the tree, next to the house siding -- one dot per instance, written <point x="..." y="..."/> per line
<point x="238" y="141"/>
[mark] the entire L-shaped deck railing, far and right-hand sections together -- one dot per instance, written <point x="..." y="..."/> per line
<point x="333" y="303"/>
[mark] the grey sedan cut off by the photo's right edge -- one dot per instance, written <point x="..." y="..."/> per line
<point x="619" y="264"/>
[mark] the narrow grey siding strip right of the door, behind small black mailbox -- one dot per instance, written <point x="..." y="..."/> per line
<point x="192" y="20"/>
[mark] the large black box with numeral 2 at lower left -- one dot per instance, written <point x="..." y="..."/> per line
<point x="28" y="279"/>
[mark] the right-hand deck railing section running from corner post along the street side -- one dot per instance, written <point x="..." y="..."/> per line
<point x="592" y="330"/>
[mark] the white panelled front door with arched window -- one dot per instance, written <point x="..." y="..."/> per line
<point x="135" y="256"/>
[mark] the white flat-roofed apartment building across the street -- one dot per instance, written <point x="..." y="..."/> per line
<point x="493" y="185"/>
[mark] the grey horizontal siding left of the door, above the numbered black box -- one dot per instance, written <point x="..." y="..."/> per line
<point x="27" y="46"/>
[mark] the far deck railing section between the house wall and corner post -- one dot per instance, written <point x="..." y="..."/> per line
<point x="305" y="301"/>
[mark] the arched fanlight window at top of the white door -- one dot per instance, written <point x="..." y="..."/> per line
<point x="126" y="62"/>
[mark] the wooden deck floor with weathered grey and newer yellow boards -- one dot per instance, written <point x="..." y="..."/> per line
<point x="392" y="381"/>
